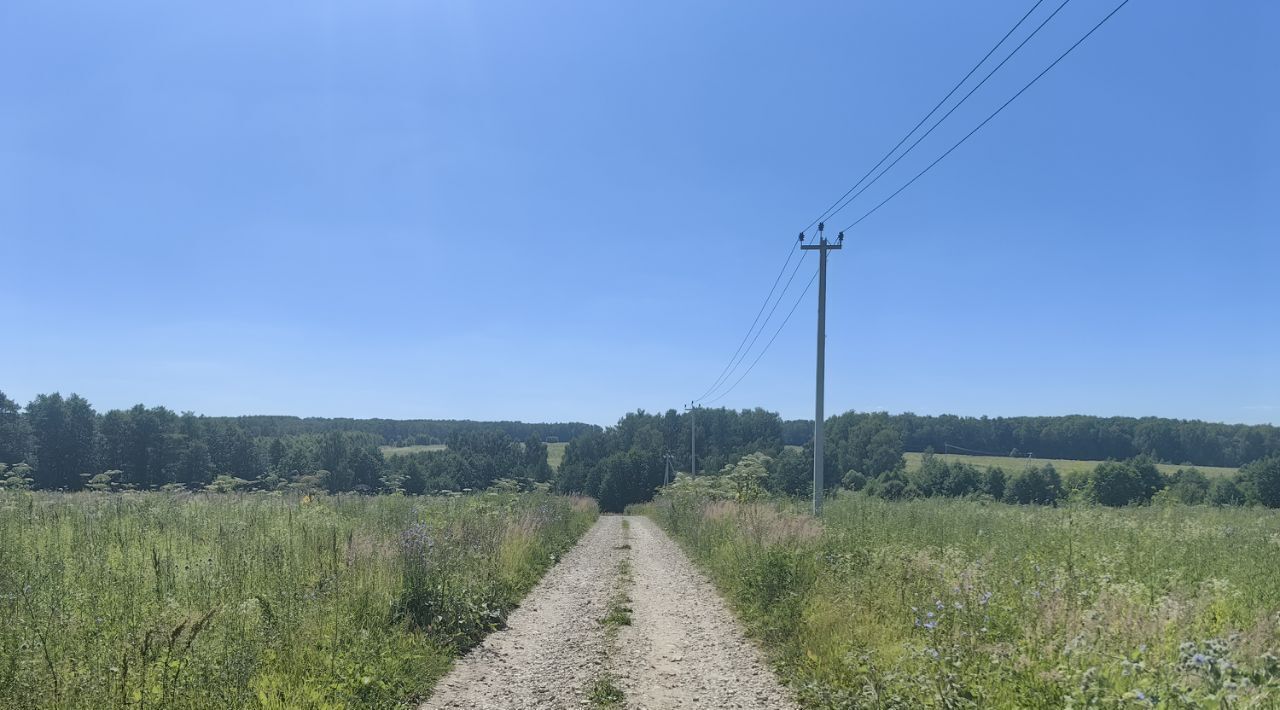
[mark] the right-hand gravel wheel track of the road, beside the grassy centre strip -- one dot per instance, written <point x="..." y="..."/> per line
<point x="684" y="648"/>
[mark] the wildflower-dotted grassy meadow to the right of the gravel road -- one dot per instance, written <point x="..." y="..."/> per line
<point x="962" y="604"/>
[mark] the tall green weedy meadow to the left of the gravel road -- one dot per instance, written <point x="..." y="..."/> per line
<point x="158" y="601"/>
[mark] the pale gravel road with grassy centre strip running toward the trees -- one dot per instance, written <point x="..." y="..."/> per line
<point x="683" y="649"/>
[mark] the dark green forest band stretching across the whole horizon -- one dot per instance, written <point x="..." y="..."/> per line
<point x="63" y="443"/>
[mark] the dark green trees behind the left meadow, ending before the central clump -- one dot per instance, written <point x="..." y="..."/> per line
<point x="62" y="443"/>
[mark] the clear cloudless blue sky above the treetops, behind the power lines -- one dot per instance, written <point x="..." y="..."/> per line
<point x="570" y="210"/>
